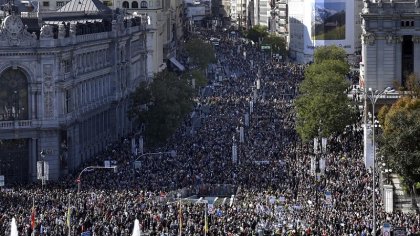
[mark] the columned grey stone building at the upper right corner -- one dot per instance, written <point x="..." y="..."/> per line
<point x="390" y="42"/>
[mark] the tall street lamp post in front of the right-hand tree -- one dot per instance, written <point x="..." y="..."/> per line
<point x="373" y="96"/>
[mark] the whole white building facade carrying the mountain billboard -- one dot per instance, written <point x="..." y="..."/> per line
<point x="317" y="23"/>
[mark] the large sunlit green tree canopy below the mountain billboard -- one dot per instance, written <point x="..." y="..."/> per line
<point x="322" y="108"/>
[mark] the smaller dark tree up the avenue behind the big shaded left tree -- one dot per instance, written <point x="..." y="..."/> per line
<point x="200" y="52"/>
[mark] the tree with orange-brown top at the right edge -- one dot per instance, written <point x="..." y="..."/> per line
<point x="400" y="141"/>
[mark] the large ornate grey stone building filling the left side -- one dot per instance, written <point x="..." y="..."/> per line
<point x="65" y="78"/>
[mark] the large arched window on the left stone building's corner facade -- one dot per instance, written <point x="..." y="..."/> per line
<point x="13" y="95"/>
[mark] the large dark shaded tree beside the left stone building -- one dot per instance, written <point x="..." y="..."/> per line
<point x="161" y="106"/>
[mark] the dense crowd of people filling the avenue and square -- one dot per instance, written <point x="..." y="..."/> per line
<point x="275" y="192"/>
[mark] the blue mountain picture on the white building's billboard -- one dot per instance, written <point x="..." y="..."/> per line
<point x="329" y="21"/>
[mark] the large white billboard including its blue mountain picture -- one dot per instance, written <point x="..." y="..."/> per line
<point x="329" y="22"/>
